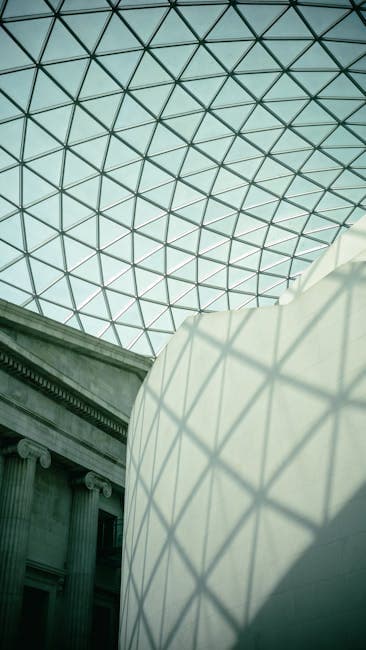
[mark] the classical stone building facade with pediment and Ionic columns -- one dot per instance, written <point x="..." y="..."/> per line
<point x="65" y="400"/>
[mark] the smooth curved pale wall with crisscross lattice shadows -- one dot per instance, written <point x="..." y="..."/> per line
<point x="246" y="480"/>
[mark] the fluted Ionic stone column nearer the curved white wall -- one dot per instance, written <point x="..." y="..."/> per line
<point x="79" y="586"/>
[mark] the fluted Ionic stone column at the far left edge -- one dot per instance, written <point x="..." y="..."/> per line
<point x="15" y="510"/>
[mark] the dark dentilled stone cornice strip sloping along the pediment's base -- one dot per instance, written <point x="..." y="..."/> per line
<point x="29" y="369"/>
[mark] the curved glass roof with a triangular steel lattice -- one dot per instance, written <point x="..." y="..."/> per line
<point x="159" y="159"/>
